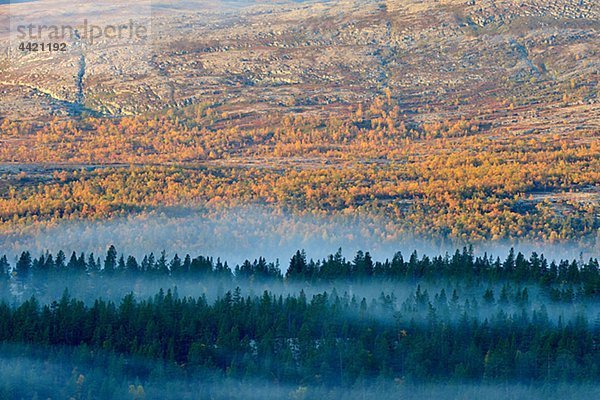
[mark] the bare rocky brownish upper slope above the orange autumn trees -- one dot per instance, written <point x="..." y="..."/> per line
<point x="438" y="58"/>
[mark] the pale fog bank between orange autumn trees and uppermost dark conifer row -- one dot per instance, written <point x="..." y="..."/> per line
<point x="248" y="233"/>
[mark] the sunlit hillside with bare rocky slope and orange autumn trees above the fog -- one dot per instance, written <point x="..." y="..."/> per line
<point x="469" y="119"/>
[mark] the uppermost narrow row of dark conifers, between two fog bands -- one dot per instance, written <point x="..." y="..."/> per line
<point x="564" y="278"/>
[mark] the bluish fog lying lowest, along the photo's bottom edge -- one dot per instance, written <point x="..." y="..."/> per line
<point x="68" y="377"/>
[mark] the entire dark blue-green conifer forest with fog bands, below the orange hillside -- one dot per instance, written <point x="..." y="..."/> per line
<point x="375" y="326"/>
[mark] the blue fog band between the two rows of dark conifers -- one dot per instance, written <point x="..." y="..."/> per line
<point x="400" y="297"/>
